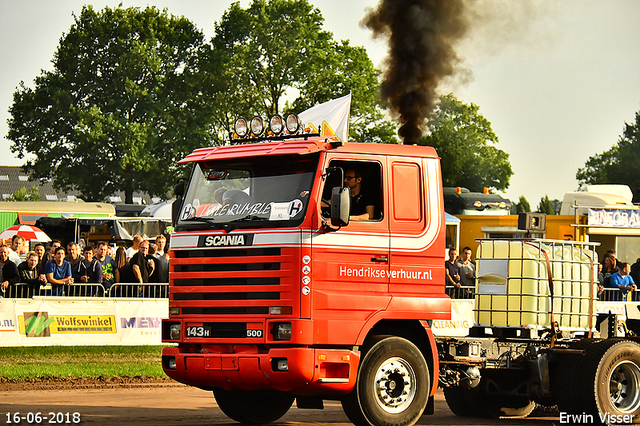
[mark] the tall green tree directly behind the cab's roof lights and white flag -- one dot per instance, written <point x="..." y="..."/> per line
<point x="276" y="50"/>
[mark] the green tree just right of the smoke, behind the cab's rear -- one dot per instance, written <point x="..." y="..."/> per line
<point x="465" y="142"/>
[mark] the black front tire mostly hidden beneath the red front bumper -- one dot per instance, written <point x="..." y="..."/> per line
<point x="253" y="407"/>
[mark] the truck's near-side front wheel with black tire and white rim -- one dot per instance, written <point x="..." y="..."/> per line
<point x="392" y="387"/>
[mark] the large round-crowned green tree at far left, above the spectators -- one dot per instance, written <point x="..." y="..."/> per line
<point x="129" y="94"/>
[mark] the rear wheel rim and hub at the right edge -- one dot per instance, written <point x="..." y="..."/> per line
<point x="624" y="387"/>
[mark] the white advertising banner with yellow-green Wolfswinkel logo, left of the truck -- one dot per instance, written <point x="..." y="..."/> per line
<point x="46" y="322"/>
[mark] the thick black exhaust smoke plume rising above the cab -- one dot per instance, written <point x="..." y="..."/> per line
<point x="421" y="36"/>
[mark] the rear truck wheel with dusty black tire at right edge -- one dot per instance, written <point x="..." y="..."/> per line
<point x="615" y="391"/>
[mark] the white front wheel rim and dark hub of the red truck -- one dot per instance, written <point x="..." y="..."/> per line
<point x="395" y="385"/>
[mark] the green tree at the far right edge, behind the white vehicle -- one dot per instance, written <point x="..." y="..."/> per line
<point x="617" y="165"/>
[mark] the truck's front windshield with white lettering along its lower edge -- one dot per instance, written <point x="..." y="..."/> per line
<point x="273" y="191"/>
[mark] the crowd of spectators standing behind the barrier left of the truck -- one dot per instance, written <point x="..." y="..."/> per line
<point x="90" y="271"/>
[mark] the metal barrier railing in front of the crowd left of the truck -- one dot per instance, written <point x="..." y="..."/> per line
<point x="147" y="290"/>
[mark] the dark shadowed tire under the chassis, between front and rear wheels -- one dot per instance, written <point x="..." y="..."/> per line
<point x="465" y="402"/>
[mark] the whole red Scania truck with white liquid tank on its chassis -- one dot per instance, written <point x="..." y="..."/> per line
<point x="277" y="295"/>
